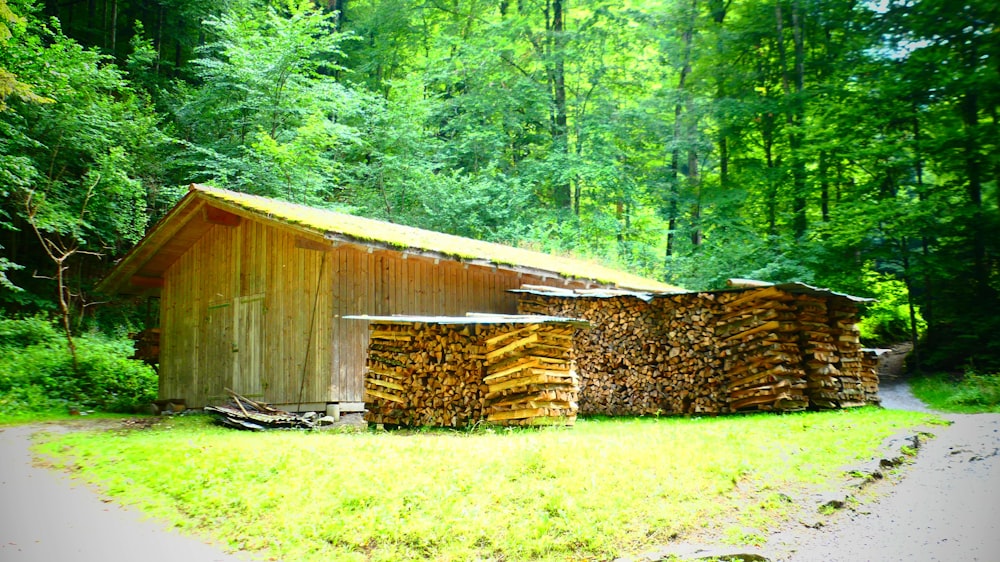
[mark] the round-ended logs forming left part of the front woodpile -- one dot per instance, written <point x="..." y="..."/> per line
<point x="424" y="374"/>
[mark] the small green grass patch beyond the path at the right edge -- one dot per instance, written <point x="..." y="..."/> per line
<point x="968" y="394"/>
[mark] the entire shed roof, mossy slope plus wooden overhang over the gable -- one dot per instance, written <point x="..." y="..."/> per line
<point x="170" y="237"/>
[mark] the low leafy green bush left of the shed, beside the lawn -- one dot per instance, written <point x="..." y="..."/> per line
<point x="39" y="374"/>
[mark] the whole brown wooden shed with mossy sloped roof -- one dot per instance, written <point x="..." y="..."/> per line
<point x="253" y="292"/>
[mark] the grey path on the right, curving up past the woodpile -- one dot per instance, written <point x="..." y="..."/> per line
<point x="944" y="507"/>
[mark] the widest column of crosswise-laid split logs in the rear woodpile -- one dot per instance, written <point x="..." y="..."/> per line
<point x="758" y="337"/>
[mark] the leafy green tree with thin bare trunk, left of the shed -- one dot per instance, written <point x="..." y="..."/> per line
<point x="70" y="168"/>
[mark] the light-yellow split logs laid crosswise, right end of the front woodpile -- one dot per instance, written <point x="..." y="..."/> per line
<point x="530" y="374"/>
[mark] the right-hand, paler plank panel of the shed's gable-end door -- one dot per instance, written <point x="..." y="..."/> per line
<point x="248" y="356"/>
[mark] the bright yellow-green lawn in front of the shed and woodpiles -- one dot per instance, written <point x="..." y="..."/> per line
<point x="597" y="491"/>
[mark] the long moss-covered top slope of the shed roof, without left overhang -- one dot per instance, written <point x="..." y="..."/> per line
<point x="407" y="238"/>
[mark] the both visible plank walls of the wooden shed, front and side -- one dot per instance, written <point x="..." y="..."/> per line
<point x="238" y="308"/>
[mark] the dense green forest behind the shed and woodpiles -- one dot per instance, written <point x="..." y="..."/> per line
<point x="847" y="144"/>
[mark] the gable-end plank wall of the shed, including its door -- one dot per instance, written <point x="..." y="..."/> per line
<point x="236" y="312"/>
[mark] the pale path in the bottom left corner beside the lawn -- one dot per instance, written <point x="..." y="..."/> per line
<point x="45" y="516"/>
